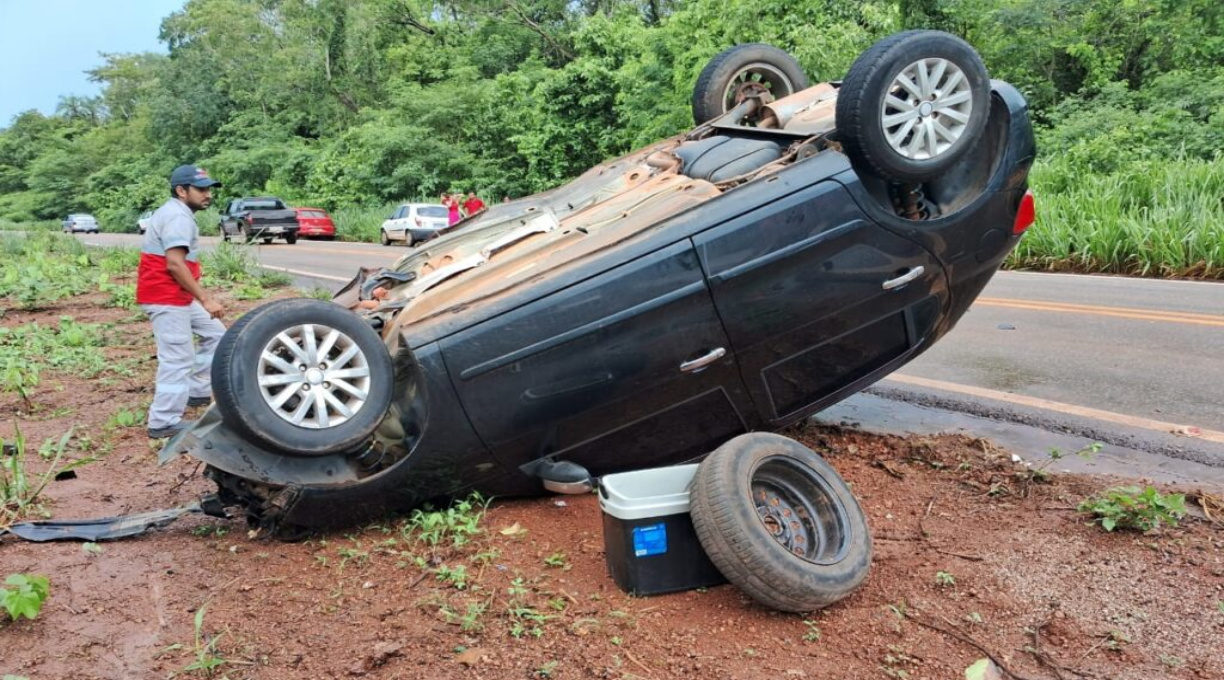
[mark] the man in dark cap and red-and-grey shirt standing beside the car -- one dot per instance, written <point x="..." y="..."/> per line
<point x="168" y="289"/>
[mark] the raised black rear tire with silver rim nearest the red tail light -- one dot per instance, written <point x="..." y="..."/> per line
<point x="876" y="75"/>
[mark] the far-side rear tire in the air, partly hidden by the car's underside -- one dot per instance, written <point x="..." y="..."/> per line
<point x="742" y="68"/>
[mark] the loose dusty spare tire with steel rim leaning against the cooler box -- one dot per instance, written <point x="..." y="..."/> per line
<point x="724" y="502"/>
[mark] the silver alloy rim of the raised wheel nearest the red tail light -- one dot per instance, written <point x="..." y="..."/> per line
<point x="927" y="109"/>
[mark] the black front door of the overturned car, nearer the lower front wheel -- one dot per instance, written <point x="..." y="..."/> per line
<point x="624" y="370"/>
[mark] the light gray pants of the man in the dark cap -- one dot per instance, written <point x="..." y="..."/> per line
<point x="182" y="370"/>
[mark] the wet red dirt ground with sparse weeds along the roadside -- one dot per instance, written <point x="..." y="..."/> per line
<point x="1037" y="588"/>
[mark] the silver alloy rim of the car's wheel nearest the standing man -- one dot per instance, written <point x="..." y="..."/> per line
<point x="314" y="376"/>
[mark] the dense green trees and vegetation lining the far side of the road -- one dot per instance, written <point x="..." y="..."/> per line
<point x="362" y="103"/>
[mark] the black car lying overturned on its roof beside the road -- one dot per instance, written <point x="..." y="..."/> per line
<point x="796" y="246"/>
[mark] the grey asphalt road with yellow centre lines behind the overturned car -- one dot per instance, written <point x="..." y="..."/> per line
<point x="1106" y="353"/>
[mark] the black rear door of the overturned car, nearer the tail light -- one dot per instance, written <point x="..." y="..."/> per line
<point x="817" y="299"/>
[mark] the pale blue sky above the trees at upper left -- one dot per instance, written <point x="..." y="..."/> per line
<point x="47" y="46"/>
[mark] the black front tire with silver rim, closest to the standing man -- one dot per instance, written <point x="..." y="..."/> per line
<point x="245" y="407"/>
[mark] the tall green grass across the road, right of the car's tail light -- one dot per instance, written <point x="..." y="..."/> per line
<point x="1159" y="220"/>
